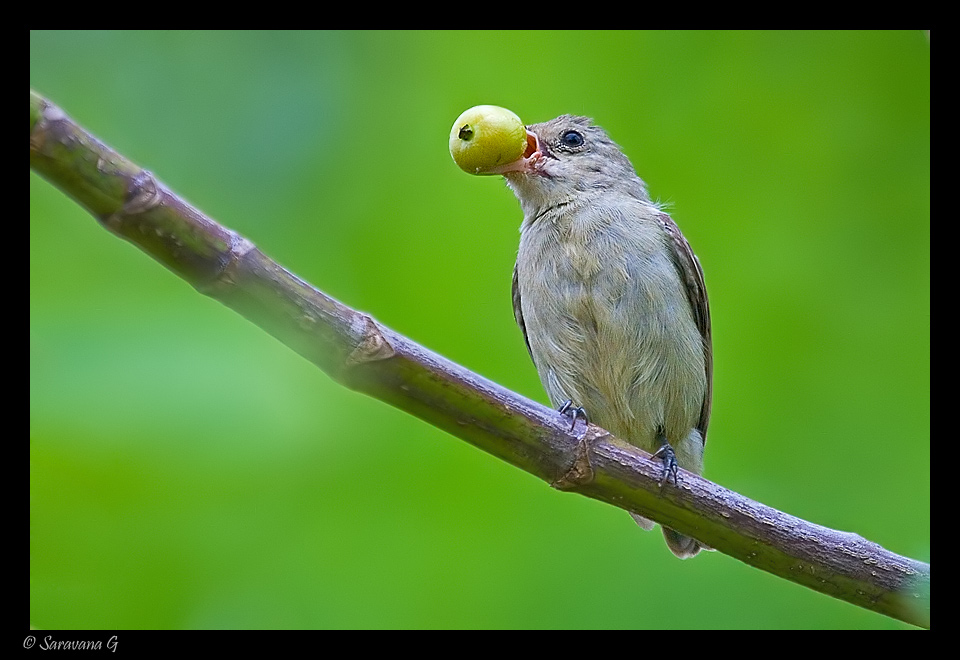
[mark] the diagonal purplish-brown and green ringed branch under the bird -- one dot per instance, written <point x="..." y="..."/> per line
<point x="365" y="356"/>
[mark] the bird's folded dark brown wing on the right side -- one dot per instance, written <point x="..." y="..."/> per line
<point x="692" y="275"/>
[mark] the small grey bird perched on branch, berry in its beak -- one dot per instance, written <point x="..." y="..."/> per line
<point x="611" y="299"/>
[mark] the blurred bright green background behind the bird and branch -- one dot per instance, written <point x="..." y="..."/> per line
<point x="188" y="471"/>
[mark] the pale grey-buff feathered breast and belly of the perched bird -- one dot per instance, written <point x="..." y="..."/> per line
<point x="609" y="326"/>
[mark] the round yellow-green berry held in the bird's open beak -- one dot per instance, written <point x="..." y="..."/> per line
<point x="486" y="136"/>
